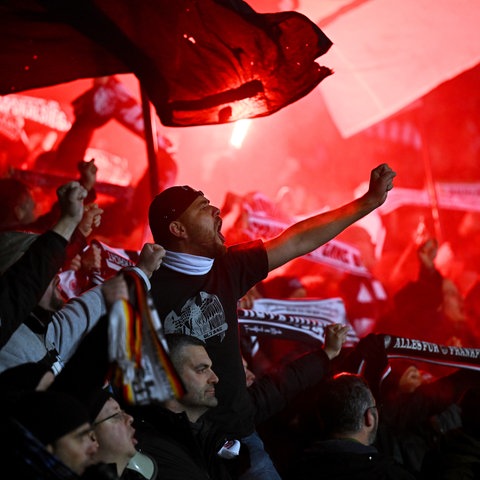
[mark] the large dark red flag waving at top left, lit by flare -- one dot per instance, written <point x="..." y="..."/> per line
<point x="200" y="62"/>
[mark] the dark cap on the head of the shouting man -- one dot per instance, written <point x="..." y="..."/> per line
<point x="167" y="206"/>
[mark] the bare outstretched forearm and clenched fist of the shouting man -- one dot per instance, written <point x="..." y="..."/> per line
<point x="309" y="234"/>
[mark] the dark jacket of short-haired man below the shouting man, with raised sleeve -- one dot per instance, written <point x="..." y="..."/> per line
<point x="185" y="450"/>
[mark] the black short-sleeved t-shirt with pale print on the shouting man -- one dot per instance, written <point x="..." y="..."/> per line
<point x="205" y="306"/>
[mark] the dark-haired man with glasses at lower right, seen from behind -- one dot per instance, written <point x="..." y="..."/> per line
<point x="348" y="417"/>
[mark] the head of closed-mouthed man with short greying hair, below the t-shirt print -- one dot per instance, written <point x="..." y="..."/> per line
<point x="194" y="367"/>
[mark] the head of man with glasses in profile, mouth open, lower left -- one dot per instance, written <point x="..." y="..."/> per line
<point x="113" y="430"/>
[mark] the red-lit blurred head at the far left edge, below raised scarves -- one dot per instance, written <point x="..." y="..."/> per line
<point x="18" y="205"/>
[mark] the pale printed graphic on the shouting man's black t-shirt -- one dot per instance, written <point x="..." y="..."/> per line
<point x="201" y="316"/>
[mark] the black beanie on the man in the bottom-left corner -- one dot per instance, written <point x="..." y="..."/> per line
<point x="49" y="415"/>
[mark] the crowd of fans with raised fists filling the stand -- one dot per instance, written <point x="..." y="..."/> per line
<point x="313" y="414"/>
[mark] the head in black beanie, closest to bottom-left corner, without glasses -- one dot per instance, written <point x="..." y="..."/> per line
<point x="61" y="423"/>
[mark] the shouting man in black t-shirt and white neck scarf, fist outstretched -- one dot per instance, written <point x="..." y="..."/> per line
<point x="201" y="280"/>
